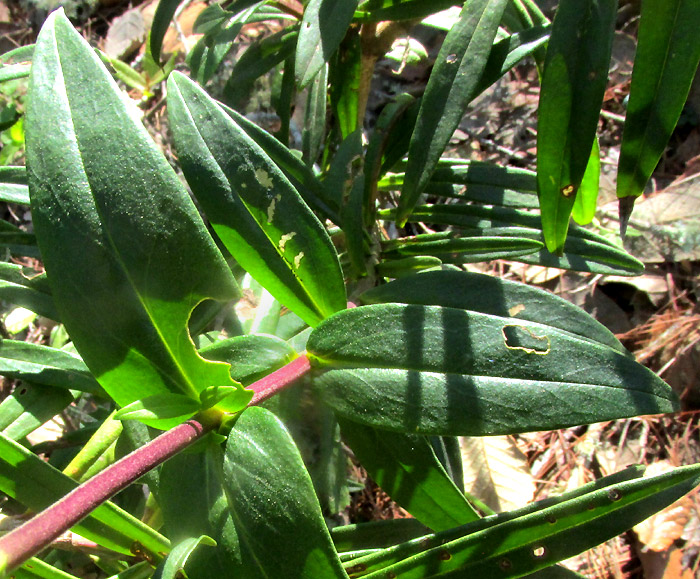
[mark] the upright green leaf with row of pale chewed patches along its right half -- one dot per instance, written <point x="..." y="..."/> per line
<point x="253" y="207"/>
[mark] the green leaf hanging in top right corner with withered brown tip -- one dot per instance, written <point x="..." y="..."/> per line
<point x="667" y="57"/>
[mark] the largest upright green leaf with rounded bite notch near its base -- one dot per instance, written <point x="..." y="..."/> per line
<point x="127" y="255"/>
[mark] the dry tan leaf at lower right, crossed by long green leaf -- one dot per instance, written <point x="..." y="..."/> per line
<point x="659" y="531"/>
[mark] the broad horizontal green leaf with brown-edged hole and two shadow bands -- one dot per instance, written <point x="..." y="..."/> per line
<point x="448" y="371"/>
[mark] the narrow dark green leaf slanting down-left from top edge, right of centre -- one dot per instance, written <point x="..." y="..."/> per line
<point x="451" y="87"/>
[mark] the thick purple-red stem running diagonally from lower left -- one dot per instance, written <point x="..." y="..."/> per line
<point x="30" y="538"/>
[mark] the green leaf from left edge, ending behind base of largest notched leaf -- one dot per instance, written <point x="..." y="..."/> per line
<point x="44" y="365"/>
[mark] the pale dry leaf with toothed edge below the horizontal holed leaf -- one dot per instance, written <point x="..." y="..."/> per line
<point x="496" y="472"/>
